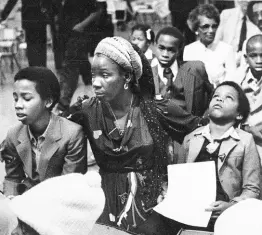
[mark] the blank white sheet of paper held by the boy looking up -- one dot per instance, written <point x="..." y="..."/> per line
<point x="191" y="189"/>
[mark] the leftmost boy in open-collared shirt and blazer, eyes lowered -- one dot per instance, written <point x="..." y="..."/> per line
<point x="43" y="145"/>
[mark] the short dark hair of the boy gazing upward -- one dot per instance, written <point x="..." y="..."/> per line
<point x="243" y="107"/>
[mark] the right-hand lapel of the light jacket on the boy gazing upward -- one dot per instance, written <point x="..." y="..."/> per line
<point x="226" y="147"/>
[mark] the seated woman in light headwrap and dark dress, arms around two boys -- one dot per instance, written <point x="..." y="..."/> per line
<point x="125" y="130"/>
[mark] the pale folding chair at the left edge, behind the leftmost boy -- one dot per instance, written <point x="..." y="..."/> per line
<point x="8" y="49"/>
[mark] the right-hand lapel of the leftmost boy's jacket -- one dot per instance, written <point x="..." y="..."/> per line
<point x="50" y="145"/>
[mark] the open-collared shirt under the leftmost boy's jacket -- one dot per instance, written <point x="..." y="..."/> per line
<point x="38" y="143"/>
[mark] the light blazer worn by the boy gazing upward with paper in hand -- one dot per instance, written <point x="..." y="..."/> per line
<point x="238" y="163"/>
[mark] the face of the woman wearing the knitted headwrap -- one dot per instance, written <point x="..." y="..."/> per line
<point x="107" y="78"/>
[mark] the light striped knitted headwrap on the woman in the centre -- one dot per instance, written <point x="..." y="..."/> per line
<point x="121" y="51"/>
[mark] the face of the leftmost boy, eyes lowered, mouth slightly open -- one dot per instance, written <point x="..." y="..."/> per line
<point x="30" y="108"/>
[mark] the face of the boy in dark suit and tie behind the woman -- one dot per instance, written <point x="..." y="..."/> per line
<point x="167" y="49"/>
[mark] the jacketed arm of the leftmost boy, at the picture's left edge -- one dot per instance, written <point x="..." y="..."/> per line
<point x="13" y="167"/>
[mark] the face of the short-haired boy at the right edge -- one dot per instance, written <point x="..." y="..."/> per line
<point x="254" y="57"/>
